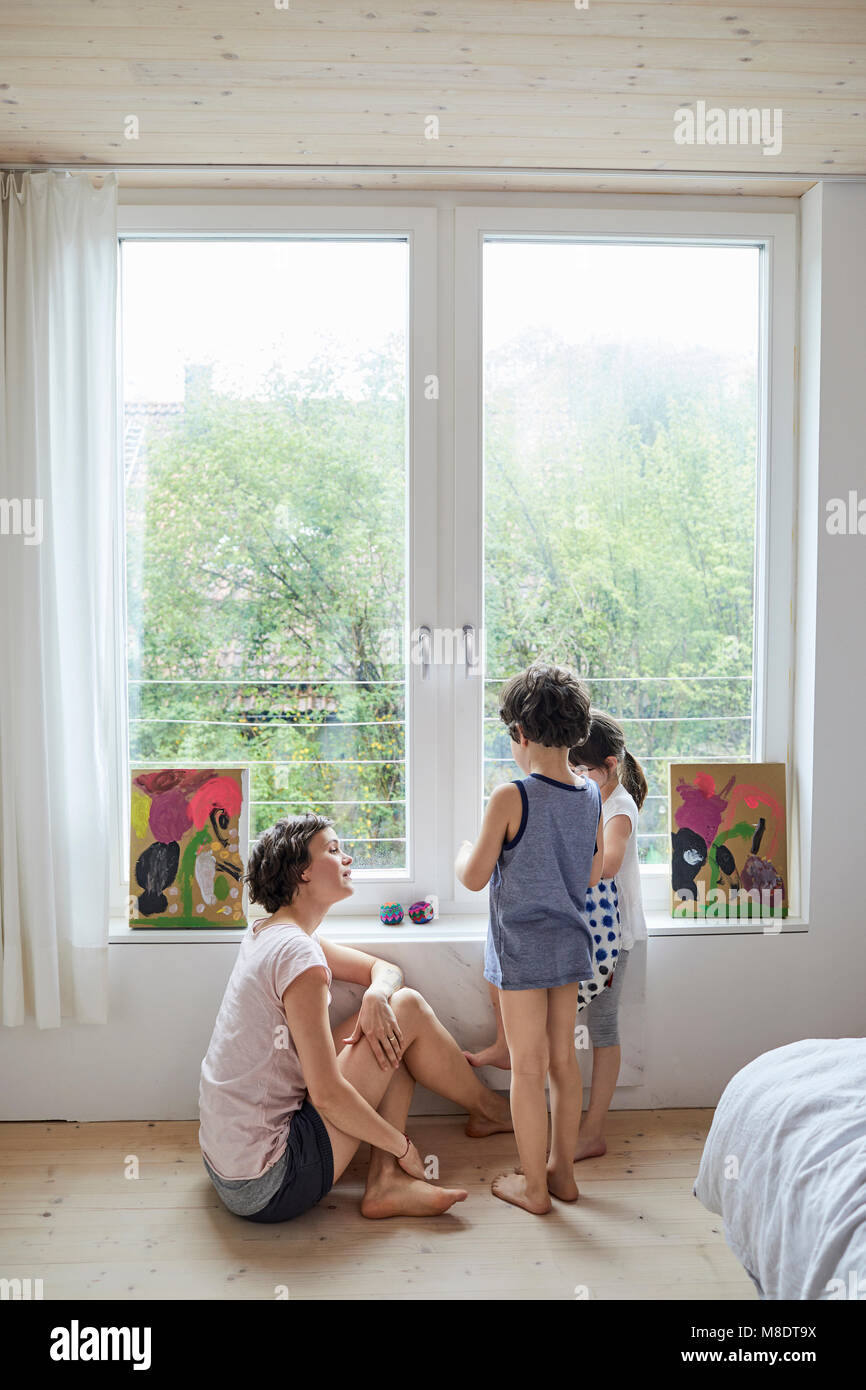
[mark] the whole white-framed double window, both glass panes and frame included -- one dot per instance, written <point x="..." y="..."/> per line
<point x="616" y="494"/>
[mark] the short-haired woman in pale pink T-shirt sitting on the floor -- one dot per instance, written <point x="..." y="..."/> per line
<point x="284" y="1099"/>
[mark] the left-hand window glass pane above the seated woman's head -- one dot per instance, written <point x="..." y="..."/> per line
<point x="265" y="439"/>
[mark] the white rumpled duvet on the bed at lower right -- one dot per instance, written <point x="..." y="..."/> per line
<point x="785" y="1166"/>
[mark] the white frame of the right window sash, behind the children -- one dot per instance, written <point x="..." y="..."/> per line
<point x="774" y="651"/>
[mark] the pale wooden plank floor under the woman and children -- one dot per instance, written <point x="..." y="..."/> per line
<point x="72" y="1218"/>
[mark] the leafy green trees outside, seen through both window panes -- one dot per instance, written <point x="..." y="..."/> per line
<point x="268" y="573"/>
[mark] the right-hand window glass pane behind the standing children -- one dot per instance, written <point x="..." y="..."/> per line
<point x="621" y="389"/>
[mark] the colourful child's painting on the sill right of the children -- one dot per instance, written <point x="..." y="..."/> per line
<point x="729" y="840"/>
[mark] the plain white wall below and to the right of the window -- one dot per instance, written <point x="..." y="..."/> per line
<point x="714" y="1003"/>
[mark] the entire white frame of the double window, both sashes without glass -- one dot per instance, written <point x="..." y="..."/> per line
<point x="446" y="477"/>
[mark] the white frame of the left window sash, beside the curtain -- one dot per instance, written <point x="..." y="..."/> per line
<point x="419" y="227"/>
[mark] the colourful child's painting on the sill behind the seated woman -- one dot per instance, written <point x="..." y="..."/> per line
<point x="188" y="847"/>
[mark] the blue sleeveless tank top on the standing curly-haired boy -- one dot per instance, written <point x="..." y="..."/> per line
<point x="539" y="933"/>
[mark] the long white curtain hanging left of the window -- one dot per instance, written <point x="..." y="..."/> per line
<point x="59" y="507"/>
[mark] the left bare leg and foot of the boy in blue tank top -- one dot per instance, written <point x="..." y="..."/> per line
<point x="525" y="1015"/>
